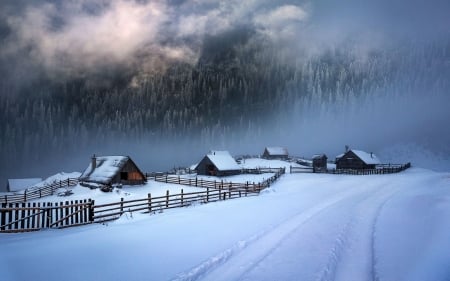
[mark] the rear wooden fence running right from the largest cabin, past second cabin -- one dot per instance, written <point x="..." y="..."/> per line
<point x="221" y="184"/>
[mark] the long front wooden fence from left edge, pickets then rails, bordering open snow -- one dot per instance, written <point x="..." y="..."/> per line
<point x="22" y="217"/>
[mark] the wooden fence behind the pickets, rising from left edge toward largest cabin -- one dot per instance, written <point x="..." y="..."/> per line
<point x="30" y="194"/>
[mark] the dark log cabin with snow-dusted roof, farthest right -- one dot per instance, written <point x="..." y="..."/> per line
<point x="357" y="160"/>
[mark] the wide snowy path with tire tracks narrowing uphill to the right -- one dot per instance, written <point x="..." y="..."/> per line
<point x="350" y="244"/>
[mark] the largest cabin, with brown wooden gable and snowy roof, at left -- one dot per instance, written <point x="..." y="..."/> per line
<point x="109" y="170"/>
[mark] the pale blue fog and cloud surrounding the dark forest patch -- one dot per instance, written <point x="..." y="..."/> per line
<point x="102" y="42"/>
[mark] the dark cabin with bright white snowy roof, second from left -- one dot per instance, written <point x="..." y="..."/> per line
<point x="218" y="163"/>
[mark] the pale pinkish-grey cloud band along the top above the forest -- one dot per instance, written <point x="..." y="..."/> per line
<point x="79" y="37"/>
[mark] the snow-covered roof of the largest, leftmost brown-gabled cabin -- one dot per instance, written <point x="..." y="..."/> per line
<point x="106" y="168"/>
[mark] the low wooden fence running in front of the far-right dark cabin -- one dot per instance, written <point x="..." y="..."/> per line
<point x="380" y="170"/>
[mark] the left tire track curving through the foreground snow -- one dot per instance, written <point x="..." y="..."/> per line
<point x="262" y="244"/>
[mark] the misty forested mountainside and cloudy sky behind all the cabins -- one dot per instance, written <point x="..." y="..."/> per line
<point x="166" y="81"/>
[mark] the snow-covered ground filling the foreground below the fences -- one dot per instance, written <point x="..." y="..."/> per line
<point x="304" y="227"/>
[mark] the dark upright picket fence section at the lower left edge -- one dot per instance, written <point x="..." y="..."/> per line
<point x="32" y="216"/>
